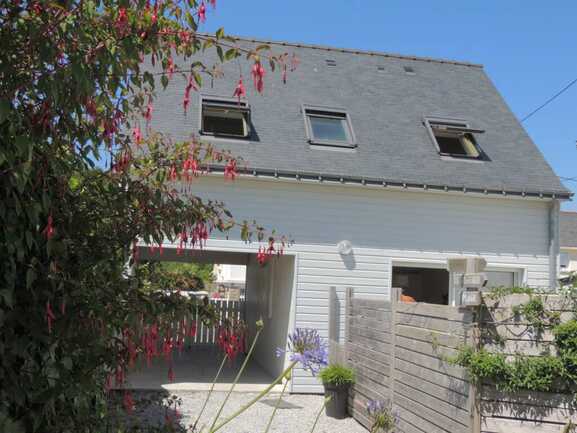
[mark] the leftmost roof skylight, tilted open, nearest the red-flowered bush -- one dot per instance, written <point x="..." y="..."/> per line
<point x="225" y="118"/>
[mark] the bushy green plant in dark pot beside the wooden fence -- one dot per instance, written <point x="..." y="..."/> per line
<point x="337" y="379"/>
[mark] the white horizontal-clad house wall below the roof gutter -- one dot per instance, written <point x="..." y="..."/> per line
<point x="383" y="226"/>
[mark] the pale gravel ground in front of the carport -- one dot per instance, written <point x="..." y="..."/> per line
<point x="296" y="414"/>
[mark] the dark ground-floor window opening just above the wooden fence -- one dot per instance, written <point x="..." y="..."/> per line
<point x="429" y="285"/>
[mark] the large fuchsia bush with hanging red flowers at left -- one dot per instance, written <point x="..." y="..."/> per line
<point x="75" y="94"/>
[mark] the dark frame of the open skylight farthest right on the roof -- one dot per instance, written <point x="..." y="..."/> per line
<point x="458" y="127"/>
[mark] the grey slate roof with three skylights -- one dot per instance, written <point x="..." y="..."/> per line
<point x="386" y="107"/>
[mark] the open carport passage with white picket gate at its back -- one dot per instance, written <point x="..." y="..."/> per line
<point x="241" y="289"/>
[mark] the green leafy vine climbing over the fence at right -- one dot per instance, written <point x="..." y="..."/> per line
<point x="555" y="370"/>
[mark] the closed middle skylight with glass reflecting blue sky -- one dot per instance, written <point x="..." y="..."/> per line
<point x="326" y="127"/>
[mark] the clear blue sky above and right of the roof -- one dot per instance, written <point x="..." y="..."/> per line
<point x="528" y="47"/>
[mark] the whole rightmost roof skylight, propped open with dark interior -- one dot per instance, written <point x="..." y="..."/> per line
<point x="454" y="139"/>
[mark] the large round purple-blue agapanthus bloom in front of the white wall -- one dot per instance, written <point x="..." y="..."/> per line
<point x="306" y="347"/>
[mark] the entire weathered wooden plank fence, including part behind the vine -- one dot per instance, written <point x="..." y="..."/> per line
<point x="400" y="350"/>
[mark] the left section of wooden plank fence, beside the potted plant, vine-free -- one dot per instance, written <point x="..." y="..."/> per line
<point x="397" y="350"/>
